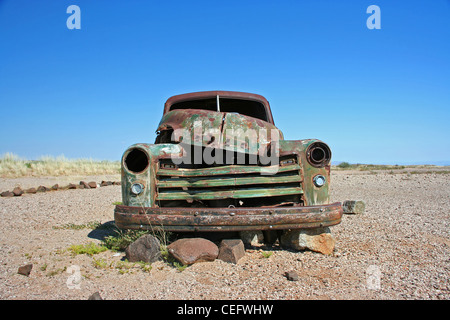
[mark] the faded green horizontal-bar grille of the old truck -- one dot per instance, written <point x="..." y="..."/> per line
<point x="228" y="182"/>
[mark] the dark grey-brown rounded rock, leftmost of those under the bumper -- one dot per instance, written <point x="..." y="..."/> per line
<point x="146" y="249"/>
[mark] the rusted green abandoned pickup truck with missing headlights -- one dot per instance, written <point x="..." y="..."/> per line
<point x="220" y="164"/>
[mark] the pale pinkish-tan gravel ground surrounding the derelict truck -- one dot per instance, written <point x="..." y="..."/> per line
<point x="402" y="239"/>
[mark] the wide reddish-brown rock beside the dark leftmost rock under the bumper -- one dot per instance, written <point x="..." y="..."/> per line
<point x="192" y="250"/>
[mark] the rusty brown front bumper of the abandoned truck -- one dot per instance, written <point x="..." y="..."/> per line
<point x="227" y="219"/>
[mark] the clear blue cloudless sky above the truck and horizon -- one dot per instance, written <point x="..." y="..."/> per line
<point x="374" y="95"/>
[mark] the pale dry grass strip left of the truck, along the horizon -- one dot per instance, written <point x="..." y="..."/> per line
<point x="12" y="166"/>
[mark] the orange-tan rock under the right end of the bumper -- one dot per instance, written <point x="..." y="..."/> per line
<point x="314" y="239"/>
